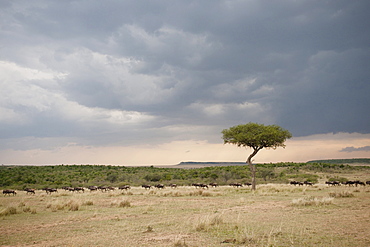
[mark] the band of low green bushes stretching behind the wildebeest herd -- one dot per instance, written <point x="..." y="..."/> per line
<point x="20" y="177"/>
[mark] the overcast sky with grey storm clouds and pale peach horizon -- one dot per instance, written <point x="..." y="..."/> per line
<point x="138" y="82"/>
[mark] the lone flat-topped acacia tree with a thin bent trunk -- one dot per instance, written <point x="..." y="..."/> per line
<point x="256" y="136"/>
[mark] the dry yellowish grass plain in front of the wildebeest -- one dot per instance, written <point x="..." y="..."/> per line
<point x="274" y="215"/>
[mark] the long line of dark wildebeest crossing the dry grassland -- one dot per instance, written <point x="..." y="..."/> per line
<point x="162" y="186"/>
